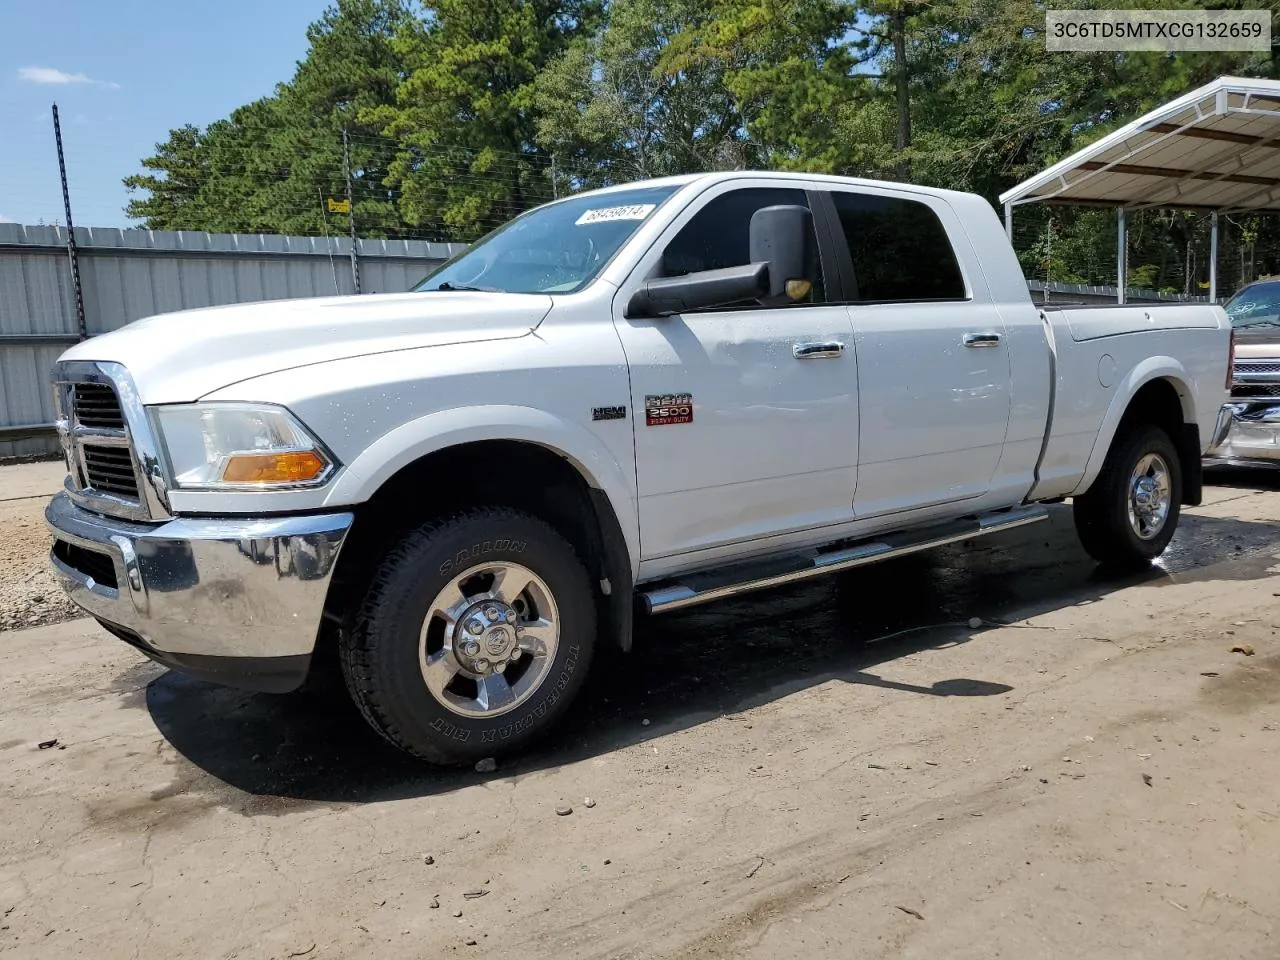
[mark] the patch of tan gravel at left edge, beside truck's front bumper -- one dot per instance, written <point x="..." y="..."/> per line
<point x="30" y="596"/>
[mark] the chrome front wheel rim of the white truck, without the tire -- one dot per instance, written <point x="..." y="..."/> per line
<point x="490" y="639"/>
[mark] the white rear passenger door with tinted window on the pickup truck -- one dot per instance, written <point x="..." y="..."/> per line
<point x="932" y="356"/>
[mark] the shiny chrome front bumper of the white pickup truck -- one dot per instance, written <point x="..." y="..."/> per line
<point x="237" y="601"/>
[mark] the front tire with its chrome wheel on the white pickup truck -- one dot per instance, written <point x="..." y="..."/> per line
<point x="401" y="639"/>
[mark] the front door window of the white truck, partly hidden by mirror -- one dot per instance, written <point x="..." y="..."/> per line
<point x="719" y="235"/>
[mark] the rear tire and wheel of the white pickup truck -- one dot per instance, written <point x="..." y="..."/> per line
<point x="1103" y="515"/>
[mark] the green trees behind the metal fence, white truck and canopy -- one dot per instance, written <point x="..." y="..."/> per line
<point x="464" y="113"/>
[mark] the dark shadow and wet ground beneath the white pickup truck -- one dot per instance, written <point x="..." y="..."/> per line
<point x="712" y="661"/>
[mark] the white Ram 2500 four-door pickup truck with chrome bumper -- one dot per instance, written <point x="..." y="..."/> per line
<point x="644" y="397"/>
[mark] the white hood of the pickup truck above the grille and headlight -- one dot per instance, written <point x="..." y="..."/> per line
<point x="180" y="358"/>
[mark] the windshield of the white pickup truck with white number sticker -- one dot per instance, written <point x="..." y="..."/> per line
<point x="556" y="249"/>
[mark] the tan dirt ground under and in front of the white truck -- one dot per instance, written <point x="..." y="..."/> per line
<point x="1096" y="780"/>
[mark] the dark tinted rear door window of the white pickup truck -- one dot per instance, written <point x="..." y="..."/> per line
<point x="900" y="249"/>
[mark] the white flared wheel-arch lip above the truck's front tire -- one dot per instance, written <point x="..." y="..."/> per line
<point x="409" y="442"/>
